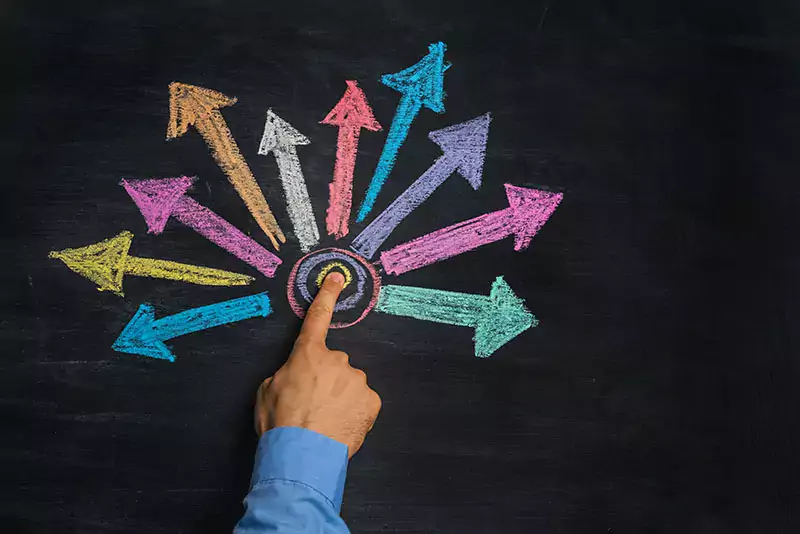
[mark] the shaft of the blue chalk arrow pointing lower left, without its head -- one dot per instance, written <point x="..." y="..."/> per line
<point x="205" y="317"/>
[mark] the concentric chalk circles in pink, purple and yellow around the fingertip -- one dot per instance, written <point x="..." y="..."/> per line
<point x="365" y="272"/>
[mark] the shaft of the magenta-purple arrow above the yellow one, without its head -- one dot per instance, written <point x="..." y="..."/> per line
<point x="223" y="234"/>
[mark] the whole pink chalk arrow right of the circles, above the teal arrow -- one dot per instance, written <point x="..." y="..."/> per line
<point x="528" y="210"/>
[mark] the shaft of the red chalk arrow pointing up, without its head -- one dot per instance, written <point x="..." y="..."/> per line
<point x="341" y="188"/>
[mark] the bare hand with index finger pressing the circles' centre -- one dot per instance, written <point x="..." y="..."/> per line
<point x="317" y="388"/>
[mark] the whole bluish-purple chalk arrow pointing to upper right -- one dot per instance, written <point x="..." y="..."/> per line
<point x="464" y="147"/>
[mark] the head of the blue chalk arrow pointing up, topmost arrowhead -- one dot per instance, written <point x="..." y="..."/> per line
<point x="423" y="80"/>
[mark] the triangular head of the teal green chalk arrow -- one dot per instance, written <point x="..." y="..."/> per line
<point x="503" y="319"/>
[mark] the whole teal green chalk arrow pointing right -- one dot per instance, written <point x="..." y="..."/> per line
<point x="497" y="319"/>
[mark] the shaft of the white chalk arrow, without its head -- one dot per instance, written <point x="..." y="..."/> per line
<point x="297" y="201"/>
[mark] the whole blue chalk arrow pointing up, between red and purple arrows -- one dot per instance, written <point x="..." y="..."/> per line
<point x="422" y="84"/>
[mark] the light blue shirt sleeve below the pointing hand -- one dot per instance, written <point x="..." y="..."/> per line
<point x="297" y="484"/>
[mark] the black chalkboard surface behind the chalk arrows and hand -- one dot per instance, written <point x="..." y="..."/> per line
<point x="657" y="394"/>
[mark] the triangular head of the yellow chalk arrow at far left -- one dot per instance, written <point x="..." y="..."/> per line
<point x="103" y="263"/>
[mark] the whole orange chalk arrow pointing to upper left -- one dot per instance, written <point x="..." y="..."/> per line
<point x="190" y="105"/>
